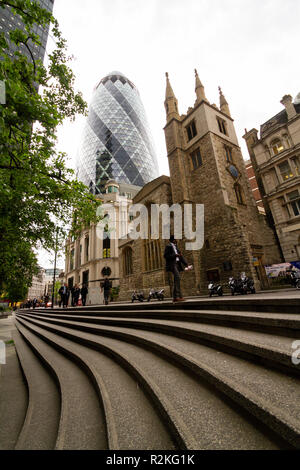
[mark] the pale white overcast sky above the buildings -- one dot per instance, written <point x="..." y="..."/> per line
<point x="248" y="47"/>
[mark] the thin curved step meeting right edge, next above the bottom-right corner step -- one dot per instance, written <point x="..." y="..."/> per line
<point x="271" y="349"/>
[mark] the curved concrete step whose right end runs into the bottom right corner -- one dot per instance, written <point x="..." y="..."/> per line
<point x="276" y="416"/>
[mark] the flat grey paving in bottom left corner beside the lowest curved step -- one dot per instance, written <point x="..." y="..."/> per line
<point x="13" y="400"/>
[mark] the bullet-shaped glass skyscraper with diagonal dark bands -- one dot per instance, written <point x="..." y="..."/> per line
<point x="116" y="142"/>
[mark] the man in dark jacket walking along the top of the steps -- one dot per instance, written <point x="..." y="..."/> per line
<point x="174" y="262"/>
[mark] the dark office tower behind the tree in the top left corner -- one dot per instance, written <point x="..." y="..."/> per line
<point x="9" y="21"/>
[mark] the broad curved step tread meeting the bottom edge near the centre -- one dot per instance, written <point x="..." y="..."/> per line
<point x="127" y="407"/>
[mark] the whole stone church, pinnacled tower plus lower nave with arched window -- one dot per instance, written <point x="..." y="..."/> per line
<point x="206" y="167"/>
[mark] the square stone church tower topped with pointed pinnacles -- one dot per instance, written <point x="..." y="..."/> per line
<point x="207" y="167"/>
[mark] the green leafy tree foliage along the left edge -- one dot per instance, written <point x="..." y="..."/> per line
<point x="37" y="189"/>
